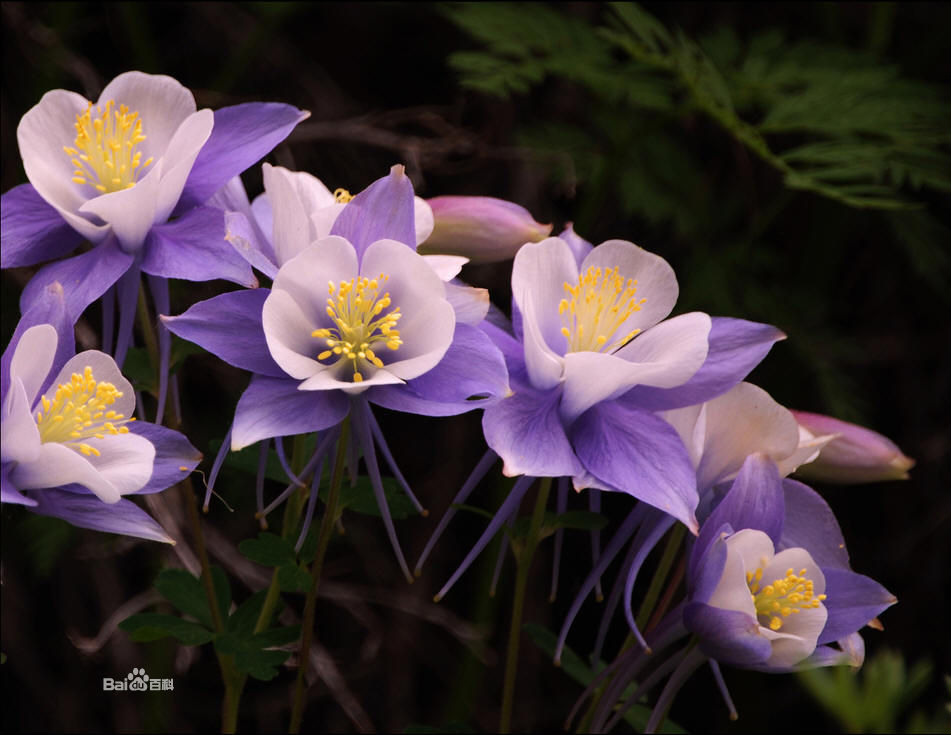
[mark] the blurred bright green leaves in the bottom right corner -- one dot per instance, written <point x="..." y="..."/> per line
<point x="873" y="699"/>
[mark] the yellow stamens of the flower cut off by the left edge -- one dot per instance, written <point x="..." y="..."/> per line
<point x="78" y="411"/>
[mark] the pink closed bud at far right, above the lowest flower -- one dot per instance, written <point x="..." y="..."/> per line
<point x="856" y="455"/>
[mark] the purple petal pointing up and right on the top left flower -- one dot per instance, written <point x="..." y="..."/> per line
<point x="242" y="135"/>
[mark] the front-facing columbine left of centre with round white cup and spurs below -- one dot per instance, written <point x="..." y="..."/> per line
<point x="353" y="318"/>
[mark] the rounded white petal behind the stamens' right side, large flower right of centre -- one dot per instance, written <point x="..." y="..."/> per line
<point x="656" y="281"/>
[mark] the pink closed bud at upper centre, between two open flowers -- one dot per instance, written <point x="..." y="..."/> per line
<point x="483" y="229"/>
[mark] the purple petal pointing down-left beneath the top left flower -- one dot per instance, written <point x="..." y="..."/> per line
<point x="84" y="277"/>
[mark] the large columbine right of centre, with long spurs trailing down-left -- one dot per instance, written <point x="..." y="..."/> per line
<point x="591" y="361"/>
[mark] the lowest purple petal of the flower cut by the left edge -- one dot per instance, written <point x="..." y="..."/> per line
<point x="87" y="511"/>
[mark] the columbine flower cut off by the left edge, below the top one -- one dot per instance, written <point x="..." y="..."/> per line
<point x="70" y="447"/>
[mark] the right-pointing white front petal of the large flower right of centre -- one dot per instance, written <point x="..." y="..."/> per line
<point x="668" y="354"/>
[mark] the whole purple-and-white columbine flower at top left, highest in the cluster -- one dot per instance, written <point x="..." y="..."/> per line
<point x="131" y="173"/>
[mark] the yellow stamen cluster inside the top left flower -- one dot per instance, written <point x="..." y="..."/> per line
<point x="104" y="154"/>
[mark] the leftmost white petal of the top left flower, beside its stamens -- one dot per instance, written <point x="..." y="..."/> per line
<point x="41" y="135"/>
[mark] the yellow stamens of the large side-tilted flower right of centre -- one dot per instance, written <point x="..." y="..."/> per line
<point x="595" y="308"/>
